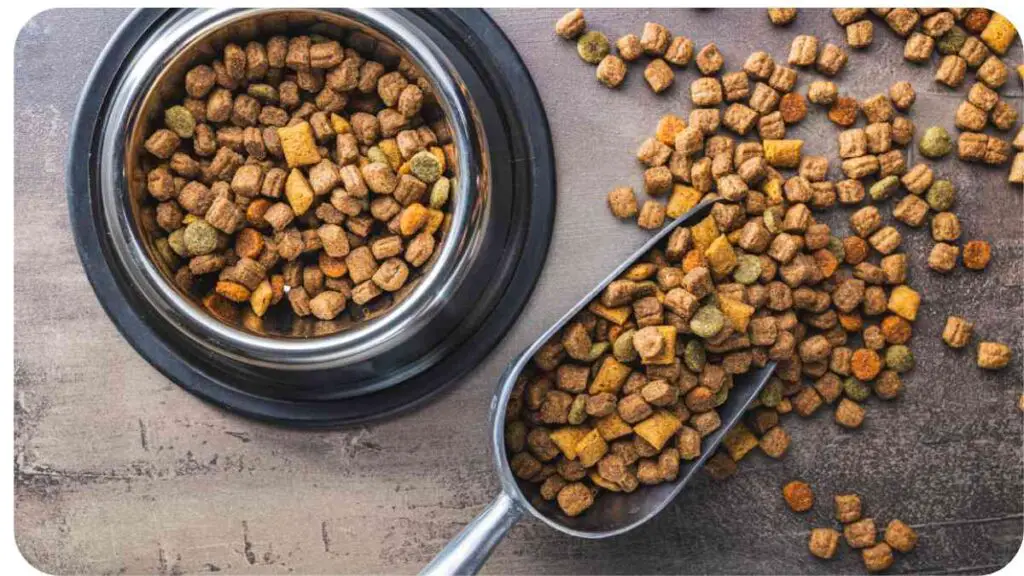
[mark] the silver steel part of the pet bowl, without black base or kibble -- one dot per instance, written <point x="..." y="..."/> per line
<point x="155" y="79"/>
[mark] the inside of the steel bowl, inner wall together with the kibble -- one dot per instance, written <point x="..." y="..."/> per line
<point x="292" y="176"/>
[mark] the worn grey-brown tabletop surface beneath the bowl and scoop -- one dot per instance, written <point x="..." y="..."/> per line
<point x="120" y="471"/>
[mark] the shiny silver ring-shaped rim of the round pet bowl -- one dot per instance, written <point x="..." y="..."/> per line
<point x="141" y="77"/>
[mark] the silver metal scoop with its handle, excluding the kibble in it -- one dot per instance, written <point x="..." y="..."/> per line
<point x="612" y="514"/>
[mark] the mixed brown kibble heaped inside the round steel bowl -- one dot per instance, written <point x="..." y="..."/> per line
<point x="303" y="170"/>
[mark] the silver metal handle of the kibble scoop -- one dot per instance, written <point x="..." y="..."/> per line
<point x="467" y="552"/>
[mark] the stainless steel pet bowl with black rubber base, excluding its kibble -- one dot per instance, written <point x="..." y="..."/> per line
<point x="313" y="374"/>
